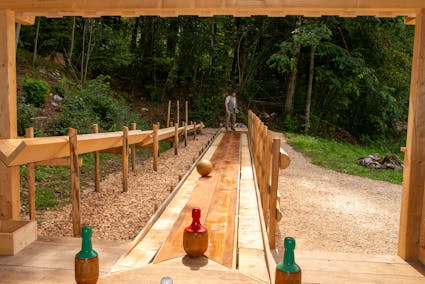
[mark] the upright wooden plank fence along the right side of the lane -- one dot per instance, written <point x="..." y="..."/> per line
<point x="268" y="158"/>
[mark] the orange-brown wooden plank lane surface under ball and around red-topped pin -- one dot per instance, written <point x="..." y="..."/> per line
<point x="216" y="196"/>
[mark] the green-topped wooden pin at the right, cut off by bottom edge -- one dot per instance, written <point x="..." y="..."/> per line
<point x="287" y="271"/>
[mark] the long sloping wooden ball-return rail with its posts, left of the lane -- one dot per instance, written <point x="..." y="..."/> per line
<point x="64" y="151"/>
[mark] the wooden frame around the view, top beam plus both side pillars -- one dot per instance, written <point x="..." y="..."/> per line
<point x="412" y="223"/>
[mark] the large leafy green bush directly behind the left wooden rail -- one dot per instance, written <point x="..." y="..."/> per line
<point x="94" y="103"/>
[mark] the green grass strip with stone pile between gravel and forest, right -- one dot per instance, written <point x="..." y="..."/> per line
<point x="341" y="157"/>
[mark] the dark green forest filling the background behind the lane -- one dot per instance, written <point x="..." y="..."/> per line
<point x="341" y="78"/>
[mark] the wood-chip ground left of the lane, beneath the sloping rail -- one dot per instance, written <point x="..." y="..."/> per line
<point x="117" y="215"/>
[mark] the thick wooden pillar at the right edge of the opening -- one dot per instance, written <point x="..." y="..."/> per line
<point x="412" y="216"/>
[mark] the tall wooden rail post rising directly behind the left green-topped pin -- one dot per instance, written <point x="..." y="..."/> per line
<point x="75" y="182"/>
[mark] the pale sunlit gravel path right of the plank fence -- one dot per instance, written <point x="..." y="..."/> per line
<point x="329" y="211"/>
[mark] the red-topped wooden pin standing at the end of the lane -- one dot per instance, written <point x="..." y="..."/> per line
<point x="195" y="236"/>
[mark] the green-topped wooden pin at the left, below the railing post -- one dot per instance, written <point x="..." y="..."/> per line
<point x="87" y="260"/>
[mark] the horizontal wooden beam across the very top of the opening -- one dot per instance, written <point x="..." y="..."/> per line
<point x="170" y="8"/>
